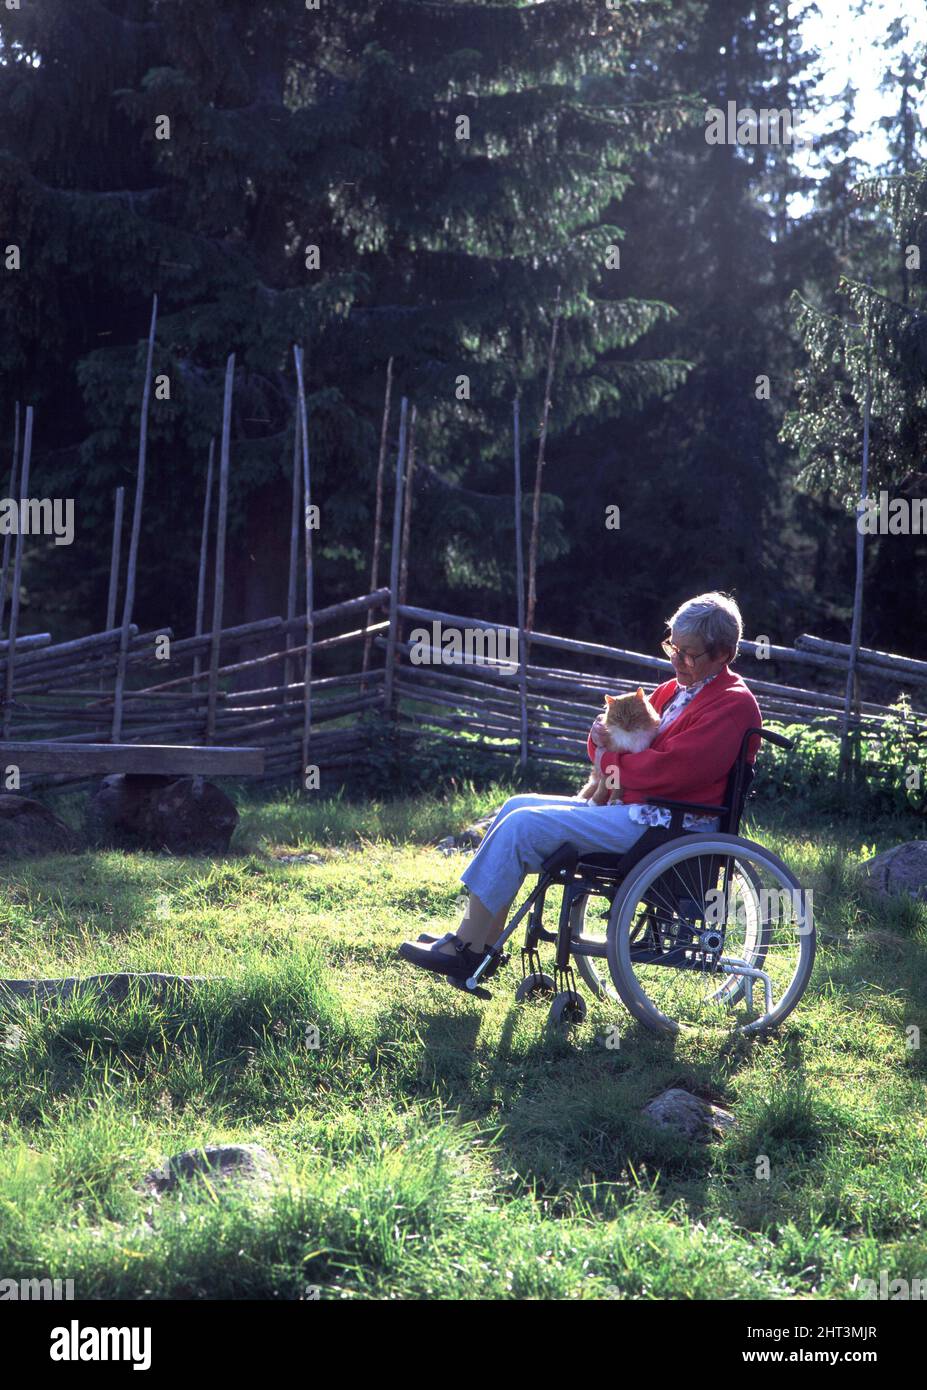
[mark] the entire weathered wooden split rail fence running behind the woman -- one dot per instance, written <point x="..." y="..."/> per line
<point x="176" y="692"/>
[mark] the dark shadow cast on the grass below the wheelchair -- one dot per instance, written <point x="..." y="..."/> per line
<point x="566" y="1110"/>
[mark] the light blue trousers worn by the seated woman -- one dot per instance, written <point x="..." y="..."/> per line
<point x="529" y="829"/>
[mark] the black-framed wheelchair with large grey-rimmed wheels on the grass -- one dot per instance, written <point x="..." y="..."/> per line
<point x="703" y="931"/>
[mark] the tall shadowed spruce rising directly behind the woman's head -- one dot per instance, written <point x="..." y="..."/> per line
<point x="701" y="476"/>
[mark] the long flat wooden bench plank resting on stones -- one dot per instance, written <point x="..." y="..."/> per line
<point x="166" y="760"/>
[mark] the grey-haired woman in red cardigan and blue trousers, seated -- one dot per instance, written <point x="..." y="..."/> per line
<point x="704" y="712"/>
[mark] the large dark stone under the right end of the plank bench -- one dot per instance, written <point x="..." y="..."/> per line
<point x="156" y="812"/>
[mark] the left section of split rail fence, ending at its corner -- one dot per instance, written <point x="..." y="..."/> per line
<point x="65" y="693"/>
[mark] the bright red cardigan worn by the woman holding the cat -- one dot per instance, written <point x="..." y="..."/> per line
<point x="690" y="761"/>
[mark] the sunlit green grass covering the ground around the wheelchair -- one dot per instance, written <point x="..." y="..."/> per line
<point x="434" y="1146"/>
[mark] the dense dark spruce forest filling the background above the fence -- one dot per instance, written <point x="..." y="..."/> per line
<point x="437" y="183"/>
